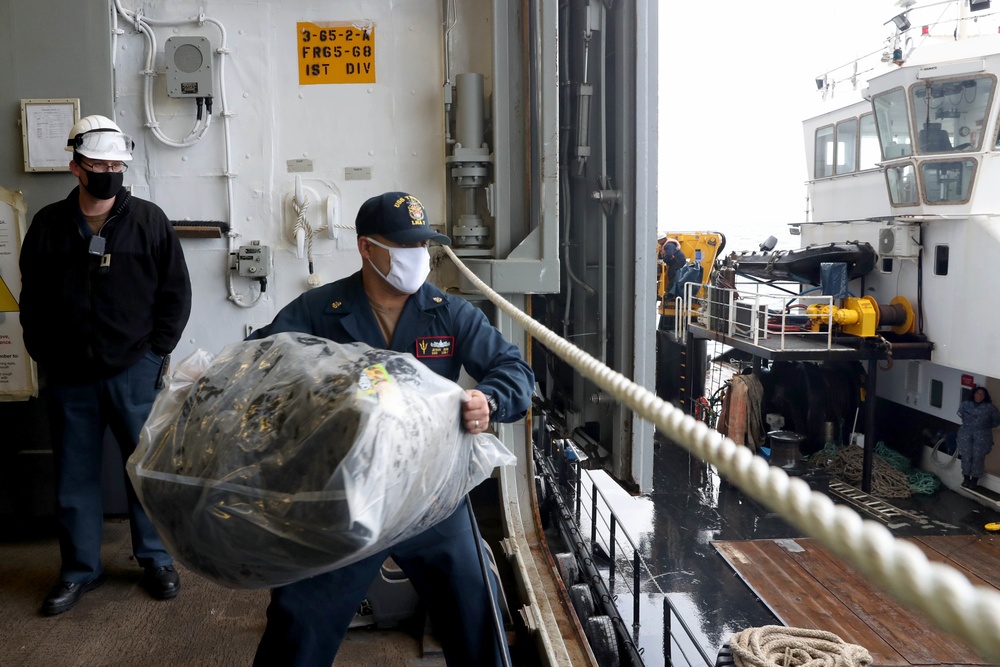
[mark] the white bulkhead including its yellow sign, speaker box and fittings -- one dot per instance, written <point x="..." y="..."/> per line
<point x="333" y="102"/>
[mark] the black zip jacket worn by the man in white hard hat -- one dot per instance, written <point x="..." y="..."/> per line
<point x="88" y="317"/>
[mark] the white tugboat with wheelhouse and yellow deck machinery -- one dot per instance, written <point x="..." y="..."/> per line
<point x="903" y="226"/>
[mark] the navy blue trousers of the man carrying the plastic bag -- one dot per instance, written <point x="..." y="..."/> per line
<point x="307" y="620"/>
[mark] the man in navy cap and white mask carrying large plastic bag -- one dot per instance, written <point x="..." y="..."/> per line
<point x="388" y="304"/>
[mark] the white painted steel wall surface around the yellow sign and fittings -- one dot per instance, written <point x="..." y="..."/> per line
<point x="393" y="127"/>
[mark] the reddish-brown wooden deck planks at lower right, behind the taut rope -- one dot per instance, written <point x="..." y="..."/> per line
<point x="807" y="586"/>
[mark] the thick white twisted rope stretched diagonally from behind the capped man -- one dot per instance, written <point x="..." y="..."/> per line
<point x="938" y="590"/>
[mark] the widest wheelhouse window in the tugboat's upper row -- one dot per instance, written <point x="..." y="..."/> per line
<point x="950" y="115"/>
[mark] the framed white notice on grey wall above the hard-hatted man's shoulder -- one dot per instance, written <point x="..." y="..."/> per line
<point x="45" y="126"/>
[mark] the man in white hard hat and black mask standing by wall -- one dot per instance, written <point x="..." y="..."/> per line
<point x="105" y="296"/>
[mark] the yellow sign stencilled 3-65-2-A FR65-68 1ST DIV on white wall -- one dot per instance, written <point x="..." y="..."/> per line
<point x="336" y="53"/>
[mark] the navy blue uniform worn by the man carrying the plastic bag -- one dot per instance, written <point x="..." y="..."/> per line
<point x="307" y="620"/>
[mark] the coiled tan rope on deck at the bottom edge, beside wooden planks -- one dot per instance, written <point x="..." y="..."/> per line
<point x="778" y="646"/>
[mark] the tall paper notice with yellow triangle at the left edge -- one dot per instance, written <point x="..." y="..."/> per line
<point x="17" y="371"/>
